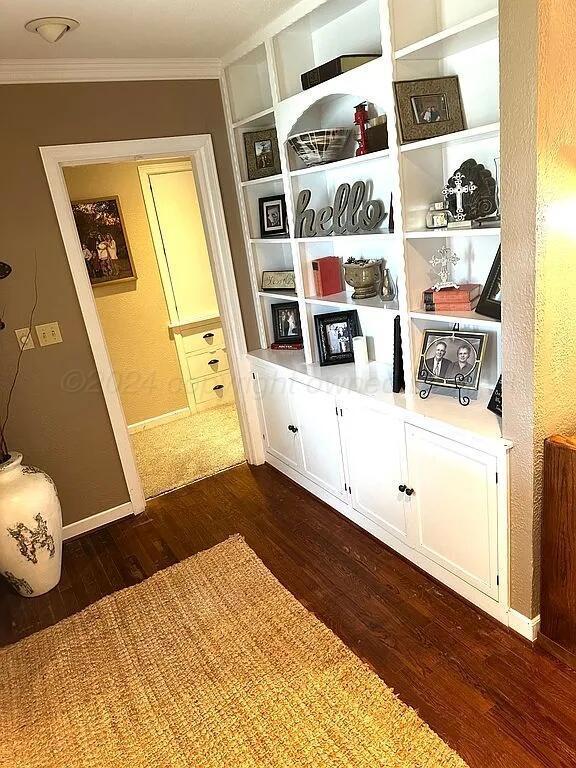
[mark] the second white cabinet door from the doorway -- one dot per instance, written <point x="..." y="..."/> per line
<point x="318" y="437"/>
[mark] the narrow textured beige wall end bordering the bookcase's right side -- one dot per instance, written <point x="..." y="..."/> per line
<point x="518" y="96"/>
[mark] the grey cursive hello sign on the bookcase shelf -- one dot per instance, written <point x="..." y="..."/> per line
<point x="351" y="214"/>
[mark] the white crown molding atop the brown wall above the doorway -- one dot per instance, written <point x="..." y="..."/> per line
<point x="14" y="71"/>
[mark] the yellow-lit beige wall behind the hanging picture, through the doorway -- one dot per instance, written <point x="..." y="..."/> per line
<point x="134" y="315"/>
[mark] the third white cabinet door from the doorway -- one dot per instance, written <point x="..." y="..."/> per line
<point x="374" y="450"/>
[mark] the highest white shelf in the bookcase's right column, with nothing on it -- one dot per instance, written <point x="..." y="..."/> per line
<point x="456" y="39"/>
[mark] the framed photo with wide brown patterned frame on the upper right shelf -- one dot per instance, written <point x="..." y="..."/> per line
<point x="428" y="107"/>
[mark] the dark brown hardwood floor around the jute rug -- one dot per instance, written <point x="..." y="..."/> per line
<point x="491" y="696"/>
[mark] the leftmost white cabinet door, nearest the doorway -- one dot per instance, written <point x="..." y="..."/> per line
<point x="276" y="417"/>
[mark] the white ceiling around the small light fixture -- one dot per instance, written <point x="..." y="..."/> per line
<point x="135" y="28"/>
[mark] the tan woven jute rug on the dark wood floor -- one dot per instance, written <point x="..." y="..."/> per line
<point x="210" y="663"/>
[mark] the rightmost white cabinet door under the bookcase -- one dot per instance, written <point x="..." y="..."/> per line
<point x="456" y="506"/>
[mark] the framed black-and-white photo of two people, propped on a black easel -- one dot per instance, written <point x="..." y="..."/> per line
<point x="451" y="358"/>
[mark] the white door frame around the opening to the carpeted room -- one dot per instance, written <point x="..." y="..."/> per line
<point x="200" y="151"/>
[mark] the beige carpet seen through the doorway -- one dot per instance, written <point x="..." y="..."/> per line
<point x="180" y="452"/>
